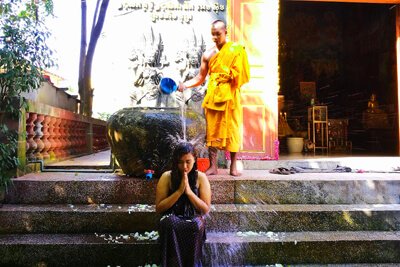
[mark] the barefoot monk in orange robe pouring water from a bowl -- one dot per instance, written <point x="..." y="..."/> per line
<point x="228" y="67"/>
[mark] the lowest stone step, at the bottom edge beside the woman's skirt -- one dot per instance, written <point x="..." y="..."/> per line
<point x="226" y="249"/>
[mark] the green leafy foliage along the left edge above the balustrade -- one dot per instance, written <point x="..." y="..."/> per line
<point x="23" y="55"/>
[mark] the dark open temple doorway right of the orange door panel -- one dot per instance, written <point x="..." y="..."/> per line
<point x="349" y="51"/>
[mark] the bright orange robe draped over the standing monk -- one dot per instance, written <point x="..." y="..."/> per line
<point x="228" y="70"/>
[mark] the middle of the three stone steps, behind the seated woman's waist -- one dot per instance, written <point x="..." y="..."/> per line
<point x="222" y="217"/>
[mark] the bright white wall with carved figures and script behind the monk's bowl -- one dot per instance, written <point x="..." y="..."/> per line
<point x="161" y="40"/>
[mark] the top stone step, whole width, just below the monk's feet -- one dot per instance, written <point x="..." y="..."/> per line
<point x="257" y="186"/>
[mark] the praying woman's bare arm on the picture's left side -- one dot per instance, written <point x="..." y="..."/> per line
<point x="163" y="201"/>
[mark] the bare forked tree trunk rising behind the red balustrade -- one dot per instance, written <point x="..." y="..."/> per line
<point x="87" y="53"/>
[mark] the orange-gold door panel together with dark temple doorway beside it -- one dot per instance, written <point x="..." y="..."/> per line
<point x="322" y="72"/>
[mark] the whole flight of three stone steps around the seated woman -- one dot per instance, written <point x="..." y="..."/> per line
<point x="304" y="219"/>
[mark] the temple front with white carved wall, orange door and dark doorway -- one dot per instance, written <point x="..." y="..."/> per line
<point x="323" y="73"/>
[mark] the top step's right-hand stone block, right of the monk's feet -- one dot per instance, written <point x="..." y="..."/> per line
<point x="319" y="188"/>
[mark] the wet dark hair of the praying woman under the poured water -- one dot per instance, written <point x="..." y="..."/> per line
<point x="180" y="150"/>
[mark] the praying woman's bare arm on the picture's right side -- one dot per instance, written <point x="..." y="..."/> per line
<point x="202" y="203"/>
